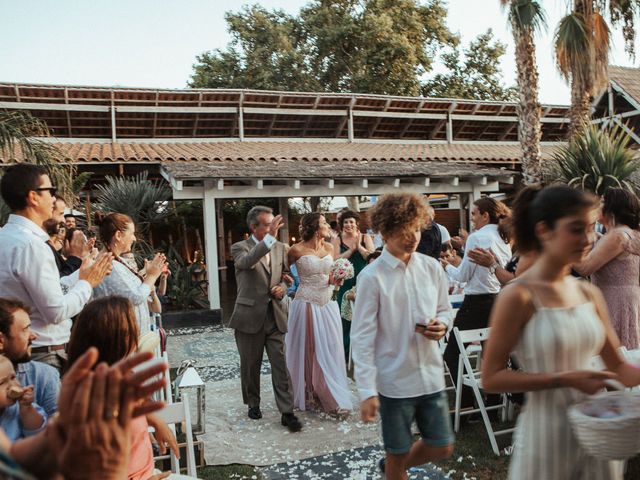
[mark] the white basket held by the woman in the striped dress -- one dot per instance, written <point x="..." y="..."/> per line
<point x="616" y="438"/>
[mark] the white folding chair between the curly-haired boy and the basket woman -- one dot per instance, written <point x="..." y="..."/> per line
<point x="470" y="377"/>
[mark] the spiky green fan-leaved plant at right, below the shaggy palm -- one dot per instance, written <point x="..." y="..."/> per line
<point x="597" y="159"/>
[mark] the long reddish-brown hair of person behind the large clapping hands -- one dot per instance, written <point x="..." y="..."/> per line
<point x="110" y="325"/>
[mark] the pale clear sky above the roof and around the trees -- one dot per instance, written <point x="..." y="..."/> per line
<point x="153" y="43"/>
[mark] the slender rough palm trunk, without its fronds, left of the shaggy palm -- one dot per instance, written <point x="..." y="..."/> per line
<point x="529" y="126"/>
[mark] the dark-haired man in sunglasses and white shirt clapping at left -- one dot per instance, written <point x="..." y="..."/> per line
<point x="28" y="270"/>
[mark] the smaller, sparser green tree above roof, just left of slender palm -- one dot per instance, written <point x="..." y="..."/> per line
<point x="473" y="73"/>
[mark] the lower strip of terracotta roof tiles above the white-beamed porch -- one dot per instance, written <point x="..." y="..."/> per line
<point x="251" y="151"/>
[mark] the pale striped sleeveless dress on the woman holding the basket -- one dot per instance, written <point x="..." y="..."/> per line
<point x="556" y="340"/>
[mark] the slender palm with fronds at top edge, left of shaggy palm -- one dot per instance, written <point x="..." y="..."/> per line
<point x="526" y="17"/>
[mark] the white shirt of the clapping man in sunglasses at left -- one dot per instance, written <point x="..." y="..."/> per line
<point x="28" y="272"/>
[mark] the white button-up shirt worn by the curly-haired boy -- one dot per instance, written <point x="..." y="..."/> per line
<point x="390" y="358"/>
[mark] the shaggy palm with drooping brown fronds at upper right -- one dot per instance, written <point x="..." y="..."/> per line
<point x="582" y="50"/>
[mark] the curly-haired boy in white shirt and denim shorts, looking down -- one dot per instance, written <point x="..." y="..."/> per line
<point x="401" y="312"/>
